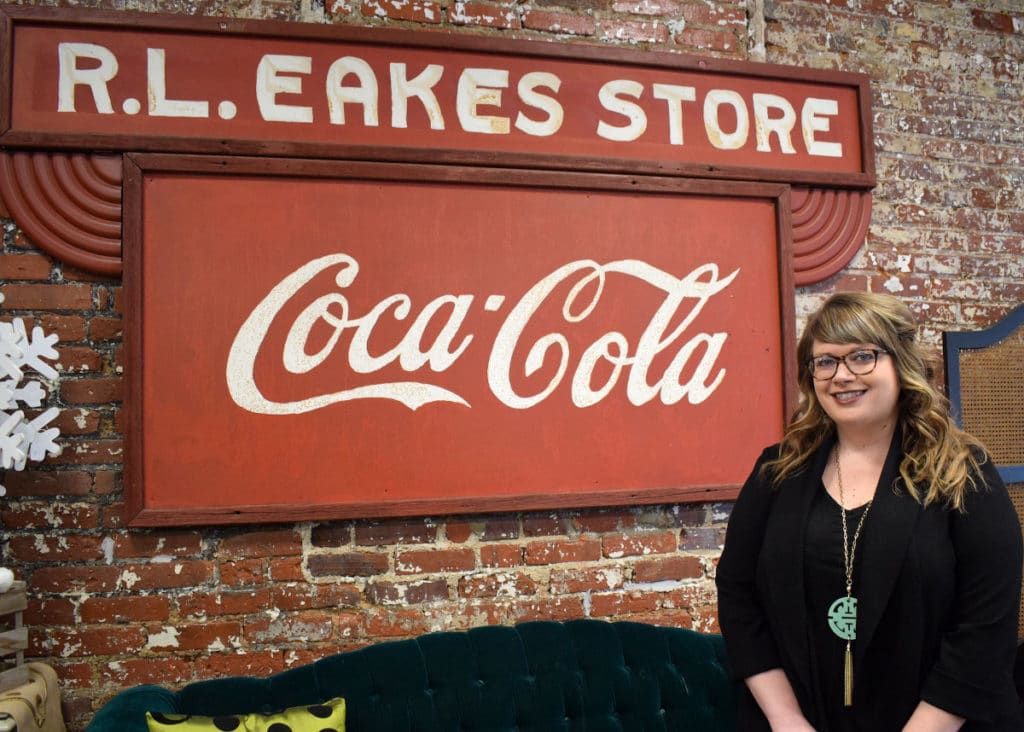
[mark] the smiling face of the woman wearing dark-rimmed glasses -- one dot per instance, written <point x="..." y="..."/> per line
<point x="858" y="401"/>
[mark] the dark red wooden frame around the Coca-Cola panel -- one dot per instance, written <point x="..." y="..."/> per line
<point x="137" y="166"/>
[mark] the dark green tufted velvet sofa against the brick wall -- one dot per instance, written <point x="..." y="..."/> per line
<point x="578" y="676"/>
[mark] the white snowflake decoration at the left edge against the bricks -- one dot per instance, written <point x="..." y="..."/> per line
<point x="23" y="440"/>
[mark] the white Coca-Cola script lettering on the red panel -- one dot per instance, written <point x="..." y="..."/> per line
<point x="688" y="357"/>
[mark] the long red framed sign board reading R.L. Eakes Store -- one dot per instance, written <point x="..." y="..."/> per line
<point x="226" y="87"/>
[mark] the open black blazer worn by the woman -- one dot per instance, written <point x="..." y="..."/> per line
<point x="938" y="599"/>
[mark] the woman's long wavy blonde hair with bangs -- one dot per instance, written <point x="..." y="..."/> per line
<point x="940" y="459"/>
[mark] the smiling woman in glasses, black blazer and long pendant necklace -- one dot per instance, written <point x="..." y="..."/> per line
<point x="872" y="571"/>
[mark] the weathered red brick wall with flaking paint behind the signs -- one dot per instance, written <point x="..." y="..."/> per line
<point x="113" y="608"/>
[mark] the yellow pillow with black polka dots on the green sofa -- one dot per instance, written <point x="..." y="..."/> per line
<point x="329" y="717"/>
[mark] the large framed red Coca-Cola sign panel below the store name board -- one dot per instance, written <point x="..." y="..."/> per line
<point x="342" y="340"/>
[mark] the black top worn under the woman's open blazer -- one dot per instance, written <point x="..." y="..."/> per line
<point x="826" y="582"/>
